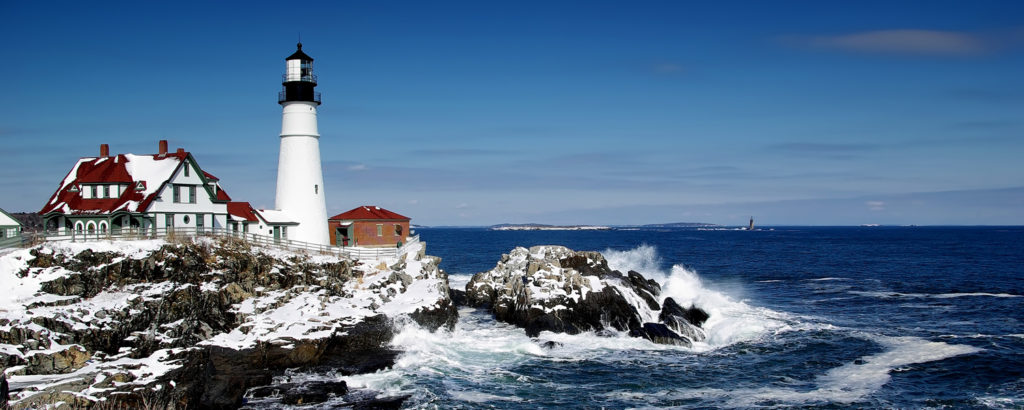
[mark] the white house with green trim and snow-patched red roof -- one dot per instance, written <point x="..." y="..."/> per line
<point x="146" y="193"/>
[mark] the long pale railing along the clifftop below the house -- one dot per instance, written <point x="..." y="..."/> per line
<point x="352" y="253"/>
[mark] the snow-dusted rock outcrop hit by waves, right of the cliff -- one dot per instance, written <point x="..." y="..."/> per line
<point x="553" y="289"/>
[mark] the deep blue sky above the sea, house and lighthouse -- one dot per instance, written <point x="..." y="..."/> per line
<point x="479" y="113"/>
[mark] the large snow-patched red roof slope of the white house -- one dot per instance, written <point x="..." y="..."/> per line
<point x="153" y="171"/>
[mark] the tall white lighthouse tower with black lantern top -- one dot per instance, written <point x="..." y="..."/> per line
<point x="301" y="180"/>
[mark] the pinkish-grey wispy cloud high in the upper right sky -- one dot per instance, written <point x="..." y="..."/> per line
<point x="907" y="42"/>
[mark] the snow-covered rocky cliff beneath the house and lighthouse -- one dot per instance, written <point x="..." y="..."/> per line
<point x="198" y="323"/>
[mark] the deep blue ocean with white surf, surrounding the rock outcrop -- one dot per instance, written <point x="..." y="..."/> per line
<point x="806" y="317"/>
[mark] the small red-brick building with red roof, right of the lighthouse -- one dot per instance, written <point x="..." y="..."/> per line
<point x="370" y="227"/>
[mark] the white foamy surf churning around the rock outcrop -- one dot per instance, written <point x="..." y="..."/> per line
<point x="482" y="360"/>
